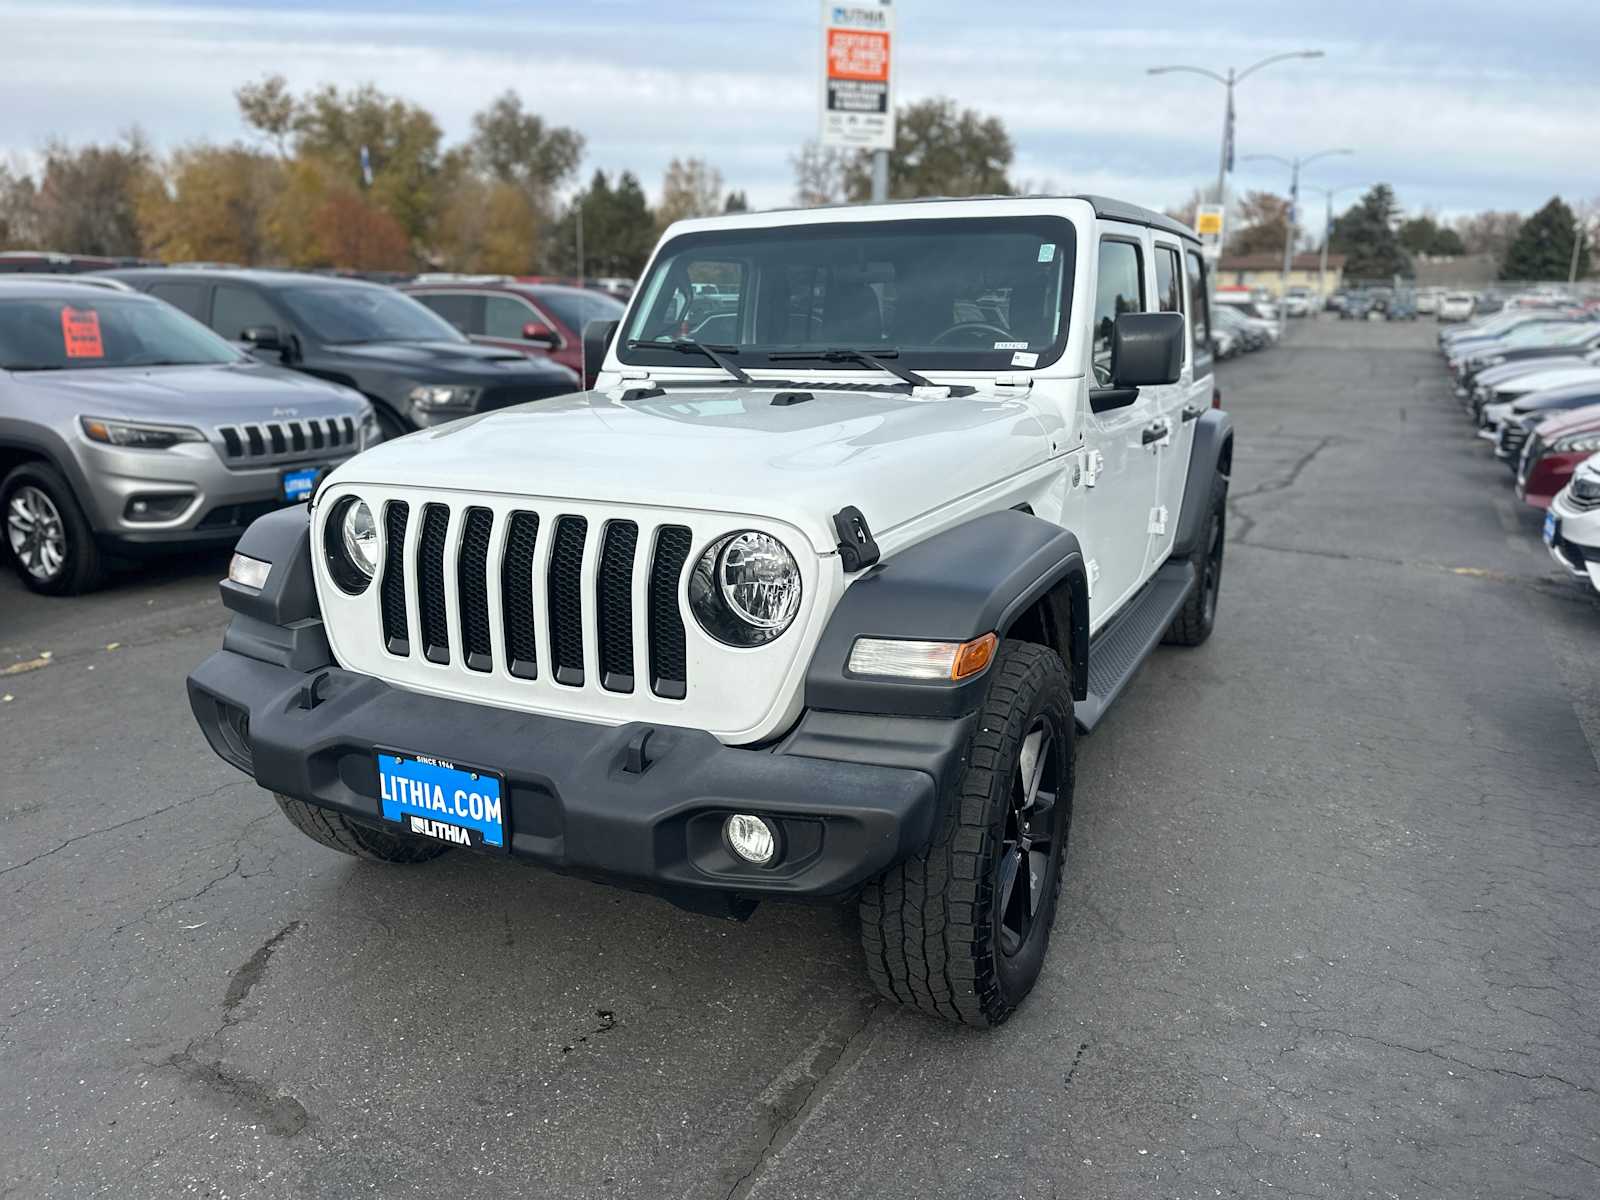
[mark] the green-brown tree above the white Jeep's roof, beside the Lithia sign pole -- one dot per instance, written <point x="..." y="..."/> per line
<point x="940" y="150"/>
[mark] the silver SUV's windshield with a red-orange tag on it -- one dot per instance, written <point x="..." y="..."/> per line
<point x="97" y="330"/>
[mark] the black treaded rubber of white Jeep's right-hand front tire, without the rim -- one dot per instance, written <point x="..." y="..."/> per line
<point x="926" y="922"/>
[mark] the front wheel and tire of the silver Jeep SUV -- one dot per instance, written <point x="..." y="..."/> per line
<point x="47" y="534"/>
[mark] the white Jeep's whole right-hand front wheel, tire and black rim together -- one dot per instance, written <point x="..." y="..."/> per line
<point x="961" y="930"/>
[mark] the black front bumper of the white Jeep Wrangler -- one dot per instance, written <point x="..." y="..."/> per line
<point x="850" y="794"/>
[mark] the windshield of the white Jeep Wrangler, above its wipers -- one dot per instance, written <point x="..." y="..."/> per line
<point x="966" y="294"/>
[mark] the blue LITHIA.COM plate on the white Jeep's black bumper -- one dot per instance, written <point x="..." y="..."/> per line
<point x="436" y="799"/>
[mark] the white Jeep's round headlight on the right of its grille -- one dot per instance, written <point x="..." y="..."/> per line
<point x="746" y="590"/>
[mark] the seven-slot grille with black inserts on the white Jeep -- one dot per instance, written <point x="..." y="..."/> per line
<point x="457" y="575"/>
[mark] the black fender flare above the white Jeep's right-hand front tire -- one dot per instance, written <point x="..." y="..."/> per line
<point x="977" y="578"/>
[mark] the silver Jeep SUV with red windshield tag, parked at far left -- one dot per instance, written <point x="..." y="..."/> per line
<point x="129" y="428"/>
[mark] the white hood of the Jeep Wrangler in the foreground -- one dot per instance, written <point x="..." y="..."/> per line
<point x="727" y="450"/>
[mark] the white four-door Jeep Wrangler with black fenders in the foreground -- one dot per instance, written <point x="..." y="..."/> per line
<point x="870" y="513"/>
